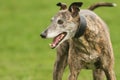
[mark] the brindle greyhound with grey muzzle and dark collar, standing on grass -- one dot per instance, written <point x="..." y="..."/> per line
<point x="82" y="41"/>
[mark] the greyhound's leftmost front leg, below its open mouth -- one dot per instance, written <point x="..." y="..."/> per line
<point x="61" y="61"/>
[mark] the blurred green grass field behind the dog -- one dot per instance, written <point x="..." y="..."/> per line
<point x="24" y="55"/>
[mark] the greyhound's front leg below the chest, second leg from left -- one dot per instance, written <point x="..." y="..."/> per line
<point x="75" y="65"/>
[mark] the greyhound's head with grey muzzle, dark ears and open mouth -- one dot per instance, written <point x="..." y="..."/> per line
<point x="64" y="24"/>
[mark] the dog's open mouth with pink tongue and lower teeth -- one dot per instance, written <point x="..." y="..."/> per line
<point x="58" y="39"/>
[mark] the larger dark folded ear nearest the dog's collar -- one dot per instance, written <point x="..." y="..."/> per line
<point x="74" y="8"/>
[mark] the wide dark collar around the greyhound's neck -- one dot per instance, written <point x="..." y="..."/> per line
<point x="81" y="28"/>
